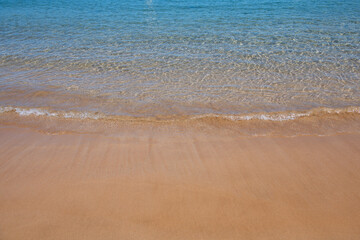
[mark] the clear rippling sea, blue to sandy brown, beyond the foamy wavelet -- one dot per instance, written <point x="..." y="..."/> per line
<point x="146" y="58"/>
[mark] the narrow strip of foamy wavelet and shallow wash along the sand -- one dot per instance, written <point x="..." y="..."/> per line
<point x="313" y="122"/>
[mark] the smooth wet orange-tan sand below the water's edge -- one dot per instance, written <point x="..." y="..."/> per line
<point x="178" y="185"/>
